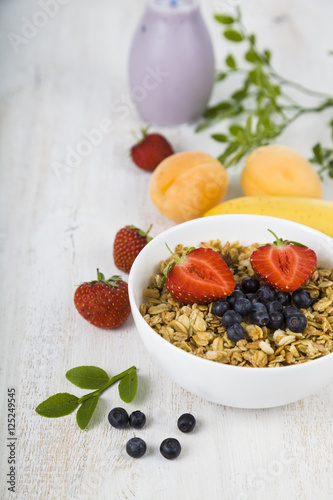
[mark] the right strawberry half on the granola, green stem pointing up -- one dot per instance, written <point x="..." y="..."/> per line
<point x="285" y="265"/>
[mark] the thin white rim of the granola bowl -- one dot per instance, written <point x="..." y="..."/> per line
<point x="198" y="358"/>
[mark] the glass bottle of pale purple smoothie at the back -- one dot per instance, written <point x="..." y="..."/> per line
<point x="171" y="63"/>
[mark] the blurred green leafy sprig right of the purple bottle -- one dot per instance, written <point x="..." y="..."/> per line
<point x="260" y="109"/>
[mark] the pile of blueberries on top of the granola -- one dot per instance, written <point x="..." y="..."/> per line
<point x="261" y="305"/>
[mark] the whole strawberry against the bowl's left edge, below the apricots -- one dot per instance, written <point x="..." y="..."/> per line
<point x="128" y="243"/>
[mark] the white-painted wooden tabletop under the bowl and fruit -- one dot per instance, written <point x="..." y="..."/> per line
<point x="58" y="226"/>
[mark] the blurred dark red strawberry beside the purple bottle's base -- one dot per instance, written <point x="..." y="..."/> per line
<point x="150" y="151"/>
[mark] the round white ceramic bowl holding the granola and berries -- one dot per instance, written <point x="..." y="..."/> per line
<point x="241" y="387"/>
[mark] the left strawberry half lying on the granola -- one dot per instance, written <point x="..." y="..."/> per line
<point x="200" y="277"/>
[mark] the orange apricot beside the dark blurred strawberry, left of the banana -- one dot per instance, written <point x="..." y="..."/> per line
<point x="185" y="185"/>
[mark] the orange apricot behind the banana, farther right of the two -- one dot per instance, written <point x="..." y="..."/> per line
<point x="279" y="171"/>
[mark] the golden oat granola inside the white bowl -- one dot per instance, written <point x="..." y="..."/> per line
<point x="195" y="329"/>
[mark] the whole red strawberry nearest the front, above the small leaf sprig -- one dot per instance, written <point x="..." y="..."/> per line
<point x="104" y="303"/>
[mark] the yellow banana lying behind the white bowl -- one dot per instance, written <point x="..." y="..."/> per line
<point x="311" y="212"/>
